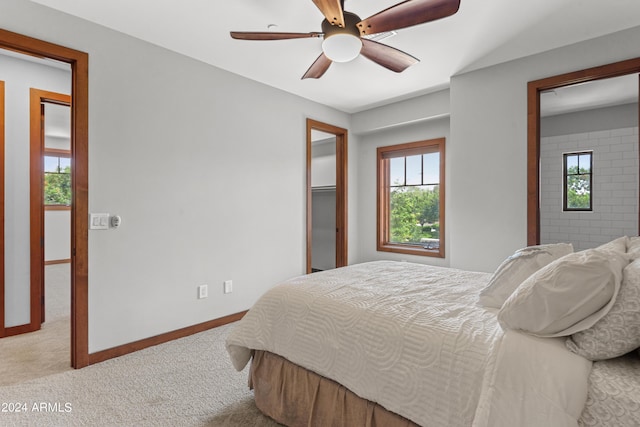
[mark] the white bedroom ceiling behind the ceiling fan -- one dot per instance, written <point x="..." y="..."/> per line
<point x="483" y="32"/>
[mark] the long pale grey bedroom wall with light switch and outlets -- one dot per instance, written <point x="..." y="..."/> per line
<point x="208" y="177"/>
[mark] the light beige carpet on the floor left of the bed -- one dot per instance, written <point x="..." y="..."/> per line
<point x="186" y="382"/>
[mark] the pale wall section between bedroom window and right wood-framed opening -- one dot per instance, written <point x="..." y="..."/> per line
<point x="487" y="150"/>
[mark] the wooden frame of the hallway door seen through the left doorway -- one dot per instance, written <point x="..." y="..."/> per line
<point x="37" y="100"/>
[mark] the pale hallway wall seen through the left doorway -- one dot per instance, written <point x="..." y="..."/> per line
<point x="19" y="77"/>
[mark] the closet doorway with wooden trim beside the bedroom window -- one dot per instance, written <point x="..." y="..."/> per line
<point x="326" y="196"/>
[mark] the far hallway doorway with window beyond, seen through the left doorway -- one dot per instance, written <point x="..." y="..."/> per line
<point x="51" y="197"/>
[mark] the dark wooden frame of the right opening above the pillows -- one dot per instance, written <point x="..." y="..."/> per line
<point x="534" y="89"/>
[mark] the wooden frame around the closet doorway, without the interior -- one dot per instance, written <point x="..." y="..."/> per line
<point x="341" y="191"/>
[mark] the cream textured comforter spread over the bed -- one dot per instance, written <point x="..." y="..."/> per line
<point x="413" y="339"/>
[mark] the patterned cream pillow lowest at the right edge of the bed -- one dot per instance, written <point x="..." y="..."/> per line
<point x="618" y="332"/>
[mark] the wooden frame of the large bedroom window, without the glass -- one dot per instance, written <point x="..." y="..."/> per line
<point x="383" y="187"/>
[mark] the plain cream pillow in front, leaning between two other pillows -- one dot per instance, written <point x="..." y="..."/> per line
<point x="567" y="296"/>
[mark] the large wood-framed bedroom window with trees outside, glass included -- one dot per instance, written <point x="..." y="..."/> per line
<point x="411" y="198"/>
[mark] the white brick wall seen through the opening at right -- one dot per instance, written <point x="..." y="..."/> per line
<point x="614" y="188"/>
